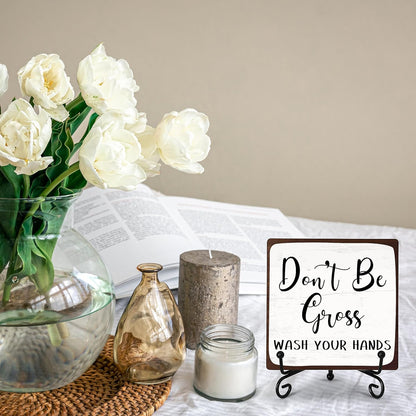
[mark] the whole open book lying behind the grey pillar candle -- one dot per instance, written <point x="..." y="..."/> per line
<point x="143" y="226"/>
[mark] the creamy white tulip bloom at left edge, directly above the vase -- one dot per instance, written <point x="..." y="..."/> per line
<point x="24" y="135"/>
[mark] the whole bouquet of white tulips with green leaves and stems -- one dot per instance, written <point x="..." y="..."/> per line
<point x="117" y="150"/>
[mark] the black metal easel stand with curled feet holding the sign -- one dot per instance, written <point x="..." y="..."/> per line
<point x="287" y="388"/>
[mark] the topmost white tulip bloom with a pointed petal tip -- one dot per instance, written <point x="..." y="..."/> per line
<point x="107" y="84"/>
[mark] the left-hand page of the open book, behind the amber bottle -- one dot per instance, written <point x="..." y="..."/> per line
<point x="129" y="228"/>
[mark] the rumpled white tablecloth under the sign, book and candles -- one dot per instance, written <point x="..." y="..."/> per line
<point x="312" y="393"/>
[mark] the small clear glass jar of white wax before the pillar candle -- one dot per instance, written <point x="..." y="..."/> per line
<point x="226" y="363"/>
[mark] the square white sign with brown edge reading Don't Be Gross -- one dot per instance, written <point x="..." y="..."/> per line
<point x="332" y="304"/>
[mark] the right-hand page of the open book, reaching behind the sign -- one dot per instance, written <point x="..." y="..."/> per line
<point x="238" y="229"/>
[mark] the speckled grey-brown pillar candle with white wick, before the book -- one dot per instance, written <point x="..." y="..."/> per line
<point x="208" y="291"/>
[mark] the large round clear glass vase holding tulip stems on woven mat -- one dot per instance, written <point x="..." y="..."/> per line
<point x="57" y="300"/>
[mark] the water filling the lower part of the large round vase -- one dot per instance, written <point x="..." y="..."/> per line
<point x="47" y="341"/>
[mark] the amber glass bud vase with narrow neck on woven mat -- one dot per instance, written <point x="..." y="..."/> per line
<point x="149" y="345"/>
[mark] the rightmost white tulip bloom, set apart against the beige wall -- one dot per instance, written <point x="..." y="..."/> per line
<point x="182" y="140"/>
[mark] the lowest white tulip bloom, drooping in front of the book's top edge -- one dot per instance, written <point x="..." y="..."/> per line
<point x="109" y="155"/>
